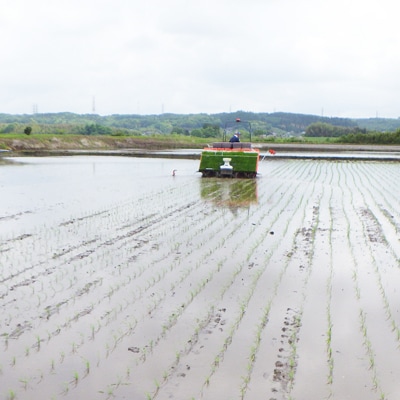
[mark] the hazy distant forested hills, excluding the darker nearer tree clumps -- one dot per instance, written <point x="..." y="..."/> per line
<point x="279" y="123"/>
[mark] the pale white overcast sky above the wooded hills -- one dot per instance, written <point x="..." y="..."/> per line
<point x="323" y="57"/>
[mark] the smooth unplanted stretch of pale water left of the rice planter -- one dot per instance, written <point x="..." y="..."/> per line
<point x="37" y="191"/>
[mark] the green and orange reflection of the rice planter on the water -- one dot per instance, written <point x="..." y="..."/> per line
<point x="231" y="193"/>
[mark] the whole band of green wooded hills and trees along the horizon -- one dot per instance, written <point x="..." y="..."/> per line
<point x="202" y="125"/>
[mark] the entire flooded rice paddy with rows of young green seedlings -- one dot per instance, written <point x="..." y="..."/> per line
<point x="121" y="281"/>
